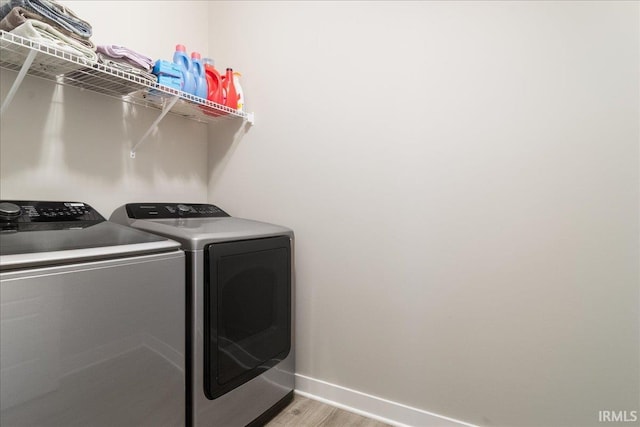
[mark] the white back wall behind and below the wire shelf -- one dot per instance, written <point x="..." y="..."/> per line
<point x="65" y="144"/>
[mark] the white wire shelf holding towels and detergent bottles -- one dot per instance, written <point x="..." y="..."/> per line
<point x="74" y="70"/>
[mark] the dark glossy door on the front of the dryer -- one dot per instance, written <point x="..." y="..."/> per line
<point x="247" y="311"/>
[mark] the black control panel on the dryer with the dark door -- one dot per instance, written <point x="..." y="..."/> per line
<point x="173" y="210"/>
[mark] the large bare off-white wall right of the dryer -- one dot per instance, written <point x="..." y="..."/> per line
<point x="462" y="178"/>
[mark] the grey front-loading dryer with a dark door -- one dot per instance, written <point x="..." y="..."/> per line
<point x="240" y="350"/>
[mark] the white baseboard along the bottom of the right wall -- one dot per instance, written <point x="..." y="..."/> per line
<point x="370" y="406"/>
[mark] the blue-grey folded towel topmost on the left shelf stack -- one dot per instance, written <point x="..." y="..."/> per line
<point x="61" y="15"/>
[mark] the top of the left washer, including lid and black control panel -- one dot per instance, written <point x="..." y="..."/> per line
<point x="48" y="233"/>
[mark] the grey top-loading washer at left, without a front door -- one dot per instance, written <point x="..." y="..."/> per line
<point x="91" y="320"/>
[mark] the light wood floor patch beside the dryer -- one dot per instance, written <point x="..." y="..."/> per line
<point x="304" y="412"/>
